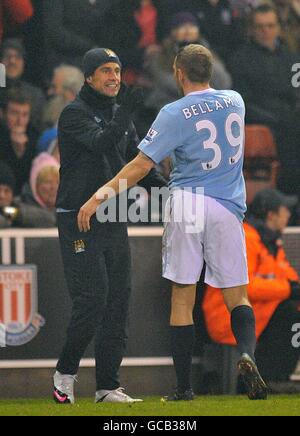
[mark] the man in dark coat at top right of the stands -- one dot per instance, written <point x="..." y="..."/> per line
<point x="262" y="73"/>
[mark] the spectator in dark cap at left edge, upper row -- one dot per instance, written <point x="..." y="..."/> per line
<point x="13" y="57"/>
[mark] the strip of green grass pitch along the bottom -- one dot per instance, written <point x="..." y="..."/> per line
<point x="202" y="406"/>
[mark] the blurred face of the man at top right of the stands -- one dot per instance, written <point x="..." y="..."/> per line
<point x="266" y="29"/>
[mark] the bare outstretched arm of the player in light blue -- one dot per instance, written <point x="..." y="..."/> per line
<point x="132" y="173"/>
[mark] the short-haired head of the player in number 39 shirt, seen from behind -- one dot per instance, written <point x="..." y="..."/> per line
<point x="197" y="62"/>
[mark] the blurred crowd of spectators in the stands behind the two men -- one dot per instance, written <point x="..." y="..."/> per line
<point x="255" y="44"/>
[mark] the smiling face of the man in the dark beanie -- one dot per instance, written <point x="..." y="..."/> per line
<point x="107" y="79"/>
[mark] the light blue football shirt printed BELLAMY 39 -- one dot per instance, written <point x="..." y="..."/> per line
<point x="204" y="134"/>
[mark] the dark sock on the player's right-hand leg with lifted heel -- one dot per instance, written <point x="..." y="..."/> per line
<point x="243" y="327"/>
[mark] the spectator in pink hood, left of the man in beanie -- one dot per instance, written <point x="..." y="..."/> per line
<point x="41" y="191"/>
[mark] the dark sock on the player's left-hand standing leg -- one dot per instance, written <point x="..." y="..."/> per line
<point x="182" y="340"/>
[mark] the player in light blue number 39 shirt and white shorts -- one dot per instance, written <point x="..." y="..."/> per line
<point x="204" y="134"/>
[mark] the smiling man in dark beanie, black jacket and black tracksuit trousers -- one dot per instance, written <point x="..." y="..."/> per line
<point x="96" y="138"/>
